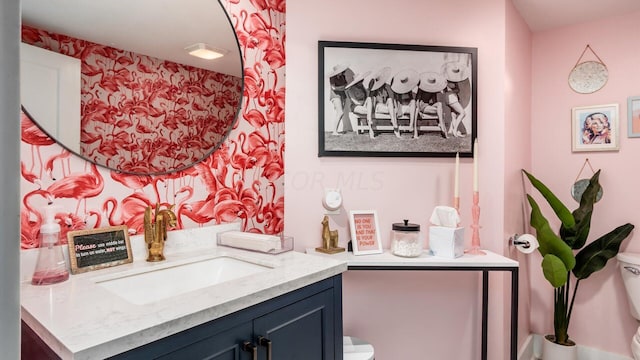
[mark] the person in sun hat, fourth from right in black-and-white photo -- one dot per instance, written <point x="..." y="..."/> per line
<point x="380" y="99"/>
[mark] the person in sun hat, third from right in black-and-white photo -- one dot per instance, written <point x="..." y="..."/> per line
<point x="404" y="87"/>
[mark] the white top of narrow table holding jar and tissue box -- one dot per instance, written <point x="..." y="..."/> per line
<point x="426" y="260"/>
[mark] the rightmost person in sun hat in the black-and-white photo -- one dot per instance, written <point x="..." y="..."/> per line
<point x="456" y="94"/>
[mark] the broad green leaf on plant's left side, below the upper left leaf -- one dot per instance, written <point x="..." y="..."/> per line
<point x="549" y="242"/>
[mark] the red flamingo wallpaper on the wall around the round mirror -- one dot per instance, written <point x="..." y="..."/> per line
<point x="241" y="181"/>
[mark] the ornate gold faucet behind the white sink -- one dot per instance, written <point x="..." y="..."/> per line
<point x="155" y="231"/>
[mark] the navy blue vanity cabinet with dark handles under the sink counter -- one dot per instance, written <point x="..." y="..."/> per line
<point x="303" y="324"/>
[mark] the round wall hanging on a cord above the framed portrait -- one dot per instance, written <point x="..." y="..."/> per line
<point x="587" y="77"/>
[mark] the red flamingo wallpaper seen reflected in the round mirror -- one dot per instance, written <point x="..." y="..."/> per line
<point x="141" y="114"/>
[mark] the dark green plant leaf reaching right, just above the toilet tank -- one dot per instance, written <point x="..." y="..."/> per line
<point x="595" y="255"/>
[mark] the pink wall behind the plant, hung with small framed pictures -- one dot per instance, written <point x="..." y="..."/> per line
<point x="601" y="298"/>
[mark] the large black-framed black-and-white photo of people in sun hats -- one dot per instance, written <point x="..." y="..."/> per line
<point x="396" y="100"/>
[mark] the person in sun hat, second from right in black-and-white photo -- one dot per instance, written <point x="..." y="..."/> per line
<point x="429" y="99"/>
